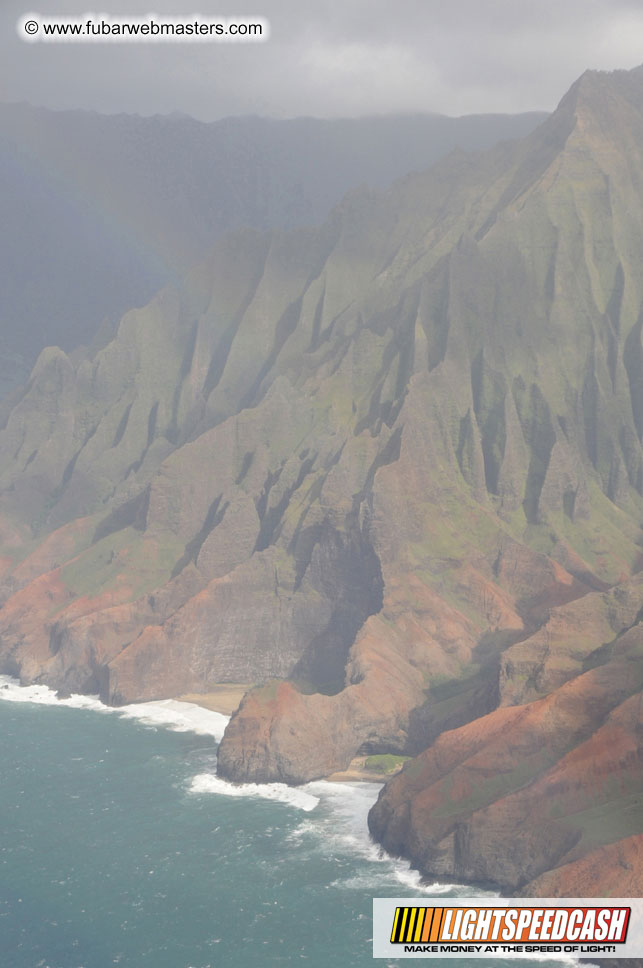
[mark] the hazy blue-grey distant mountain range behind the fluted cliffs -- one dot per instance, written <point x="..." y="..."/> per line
<point x="99" y="212"/>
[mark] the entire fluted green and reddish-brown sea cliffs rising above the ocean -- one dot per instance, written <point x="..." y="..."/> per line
<point x="389" y="469"/>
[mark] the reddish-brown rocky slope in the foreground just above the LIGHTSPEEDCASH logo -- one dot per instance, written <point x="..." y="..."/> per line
<point x="563" y="774"/>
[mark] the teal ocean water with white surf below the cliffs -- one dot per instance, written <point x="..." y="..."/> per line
<point x="120" y="846"/>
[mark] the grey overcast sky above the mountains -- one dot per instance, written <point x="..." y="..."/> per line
<point x="328" y="58"/>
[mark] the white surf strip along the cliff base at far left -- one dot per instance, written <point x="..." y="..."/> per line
<point x="178" y="716"/>
